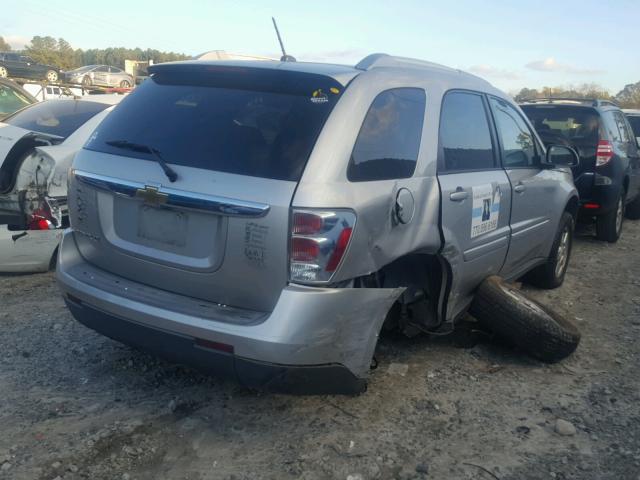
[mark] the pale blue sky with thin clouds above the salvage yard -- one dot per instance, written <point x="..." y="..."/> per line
<point x="513" y="44"/>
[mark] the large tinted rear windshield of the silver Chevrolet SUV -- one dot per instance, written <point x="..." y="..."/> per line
<point x="247" y="121"/>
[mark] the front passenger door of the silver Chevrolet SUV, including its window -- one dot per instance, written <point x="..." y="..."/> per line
<point x="534" y="192"/>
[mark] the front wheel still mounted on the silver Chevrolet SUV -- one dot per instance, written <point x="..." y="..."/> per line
<point x="551" y="273"/>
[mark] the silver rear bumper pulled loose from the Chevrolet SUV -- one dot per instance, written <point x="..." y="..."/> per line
<point x="316" y="340"/>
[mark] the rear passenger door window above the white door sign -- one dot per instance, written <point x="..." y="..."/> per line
<point x="465" y="138"/>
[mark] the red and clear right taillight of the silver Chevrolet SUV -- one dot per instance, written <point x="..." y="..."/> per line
<point x="319" y="240"/>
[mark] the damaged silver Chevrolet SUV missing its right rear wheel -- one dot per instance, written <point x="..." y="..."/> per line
<point x="264" y="219"/>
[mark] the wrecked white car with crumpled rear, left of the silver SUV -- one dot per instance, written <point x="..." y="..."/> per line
<point x="37" y="146"/>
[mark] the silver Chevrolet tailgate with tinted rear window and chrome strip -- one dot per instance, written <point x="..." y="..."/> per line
<point x="238" y="139"/>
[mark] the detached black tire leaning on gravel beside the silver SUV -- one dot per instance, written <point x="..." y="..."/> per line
<point x="512" y="315"/>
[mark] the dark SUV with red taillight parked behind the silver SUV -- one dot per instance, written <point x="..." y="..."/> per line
<point x="608" y="175"/>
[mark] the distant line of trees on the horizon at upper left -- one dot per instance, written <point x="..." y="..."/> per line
<point x="60" y="53"/>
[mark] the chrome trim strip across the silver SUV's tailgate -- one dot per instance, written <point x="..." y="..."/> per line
<point x="176" y="198"/>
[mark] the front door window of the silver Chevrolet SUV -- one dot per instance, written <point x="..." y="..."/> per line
<point x="518" y="144"/>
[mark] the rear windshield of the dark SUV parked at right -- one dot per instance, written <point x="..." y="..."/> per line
<point x="578" y="126"/>
